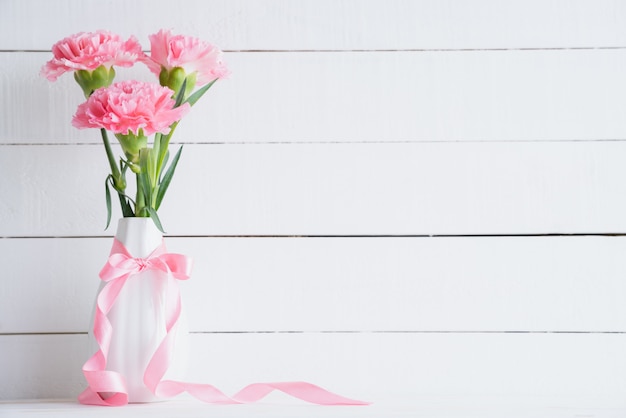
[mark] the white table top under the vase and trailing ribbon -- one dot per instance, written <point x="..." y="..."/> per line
<point x="449" y="407"/>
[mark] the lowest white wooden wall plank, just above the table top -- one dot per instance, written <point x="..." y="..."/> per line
<point x="376" y="367"/>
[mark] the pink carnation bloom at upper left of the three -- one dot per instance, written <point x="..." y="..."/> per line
<point x="88" y="51"/>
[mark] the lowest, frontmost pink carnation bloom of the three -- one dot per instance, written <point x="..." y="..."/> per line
<point x="130" y="106"/>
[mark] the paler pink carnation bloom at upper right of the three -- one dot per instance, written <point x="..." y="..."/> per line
<point x="192" y="54"/>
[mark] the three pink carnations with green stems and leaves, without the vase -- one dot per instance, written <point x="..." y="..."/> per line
<point x="186" y="68"/>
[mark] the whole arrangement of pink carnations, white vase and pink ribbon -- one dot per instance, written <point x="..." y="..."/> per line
<point x="136" y="318"/>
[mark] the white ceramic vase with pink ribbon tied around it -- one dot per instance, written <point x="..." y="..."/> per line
<point x="138" y="315"/>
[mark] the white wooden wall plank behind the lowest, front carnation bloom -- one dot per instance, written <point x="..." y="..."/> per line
<point x="359" y="97"/>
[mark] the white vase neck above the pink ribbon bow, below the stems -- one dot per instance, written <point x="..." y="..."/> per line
<point x="139" y="235"/>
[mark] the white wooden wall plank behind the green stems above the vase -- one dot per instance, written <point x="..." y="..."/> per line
<point x="334" y="189"/>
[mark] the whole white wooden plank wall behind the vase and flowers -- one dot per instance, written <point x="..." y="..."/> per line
<point x="387" y="198"/>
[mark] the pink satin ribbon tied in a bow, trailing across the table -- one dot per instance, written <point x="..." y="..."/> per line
<point x="120" y="266"/>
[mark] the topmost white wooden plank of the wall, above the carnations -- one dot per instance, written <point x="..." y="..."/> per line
<point x="326" y="24"/>
